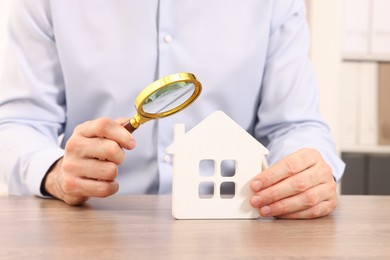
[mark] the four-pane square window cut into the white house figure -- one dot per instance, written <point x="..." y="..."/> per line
<point x="217" y="179"/>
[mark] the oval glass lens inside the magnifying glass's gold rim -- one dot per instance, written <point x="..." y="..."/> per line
<point x="168" y="98"/>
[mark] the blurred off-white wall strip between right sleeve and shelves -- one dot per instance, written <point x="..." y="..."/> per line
<point x="325" y="22"/>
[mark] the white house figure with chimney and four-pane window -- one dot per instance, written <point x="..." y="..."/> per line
<point x="213" y="164"/>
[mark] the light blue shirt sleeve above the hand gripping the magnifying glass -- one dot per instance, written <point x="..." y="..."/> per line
<point x="32" y="100"/>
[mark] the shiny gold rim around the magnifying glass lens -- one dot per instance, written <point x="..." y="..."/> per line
<point x="158" y="85"/>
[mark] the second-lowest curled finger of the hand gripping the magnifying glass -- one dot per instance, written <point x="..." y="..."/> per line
<point x="91" y="168"/>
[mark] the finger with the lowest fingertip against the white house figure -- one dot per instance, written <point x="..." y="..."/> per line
<point x="303" y="201"/>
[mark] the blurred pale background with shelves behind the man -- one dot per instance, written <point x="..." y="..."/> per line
<point x="350" y="51"/>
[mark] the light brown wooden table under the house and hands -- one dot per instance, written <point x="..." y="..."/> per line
<point x="141" y="227"/>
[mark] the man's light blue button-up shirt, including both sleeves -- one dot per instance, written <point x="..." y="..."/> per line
<point x="72" y="61"/>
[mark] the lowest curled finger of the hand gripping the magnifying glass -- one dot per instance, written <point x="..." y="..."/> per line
<point x="84" y="187"/>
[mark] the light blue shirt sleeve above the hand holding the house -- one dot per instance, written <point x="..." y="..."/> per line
<point x="288" y="115"/>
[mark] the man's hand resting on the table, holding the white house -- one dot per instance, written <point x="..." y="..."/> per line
<point x="300" y="186"/>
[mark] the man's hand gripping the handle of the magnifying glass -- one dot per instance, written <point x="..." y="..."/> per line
<point x="90" y="164"/>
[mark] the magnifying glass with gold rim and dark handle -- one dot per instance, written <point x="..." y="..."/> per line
<point x="164" y="97"/>
